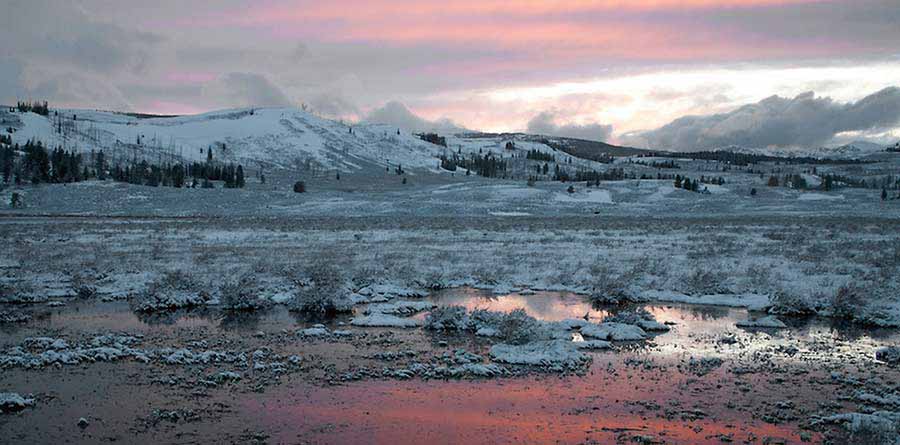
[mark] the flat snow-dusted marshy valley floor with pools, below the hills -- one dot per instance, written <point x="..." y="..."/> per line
<point x="275" y="376"/>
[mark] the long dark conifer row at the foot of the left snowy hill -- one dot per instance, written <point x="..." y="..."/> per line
<point x="36" y="164"/>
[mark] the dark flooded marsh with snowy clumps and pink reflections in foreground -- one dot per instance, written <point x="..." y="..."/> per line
<point x="273" y="377"/>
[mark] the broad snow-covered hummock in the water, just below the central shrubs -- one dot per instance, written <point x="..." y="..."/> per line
<point x="559" y="354"/>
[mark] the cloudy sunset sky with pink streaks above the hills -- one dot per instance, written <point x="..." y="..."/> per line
<point x="675" y="74"/>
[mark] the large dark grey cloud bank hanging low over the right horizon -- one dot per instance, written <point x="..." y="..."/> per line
<point x="804" y="121"/>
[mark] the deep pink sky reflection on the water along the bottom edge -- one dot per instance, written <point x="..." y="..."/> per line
<point x="533" y="410"/>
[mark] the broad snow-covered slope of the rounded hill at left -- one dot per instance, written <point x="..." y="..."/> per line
<point x="282" y="137"/>
